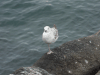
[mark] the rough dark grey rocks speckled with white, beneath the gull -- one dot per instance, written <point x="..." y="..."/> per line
<point x="77" y="57"/>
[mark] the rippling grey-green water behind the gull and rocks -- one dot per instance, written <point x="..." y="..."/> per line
<point x="22" y="22"/>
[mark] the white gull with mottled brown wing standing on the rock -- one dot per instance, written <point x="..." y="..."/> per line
<point x="50" y="35"/>
